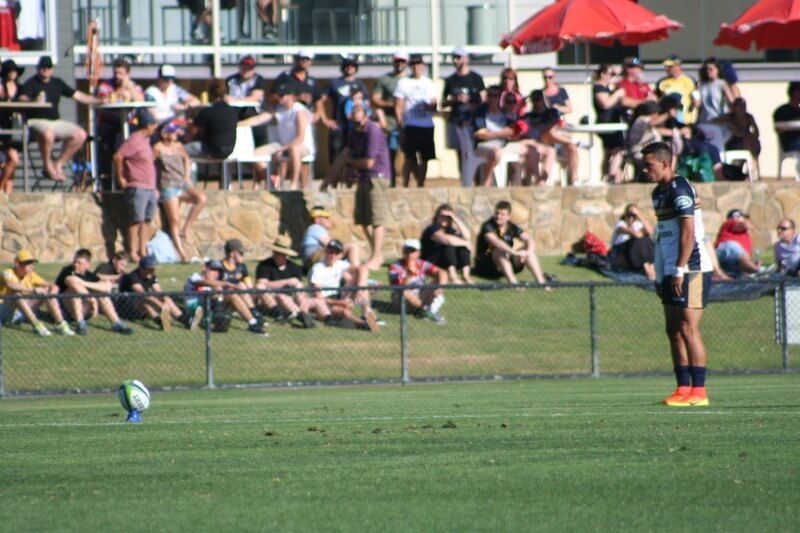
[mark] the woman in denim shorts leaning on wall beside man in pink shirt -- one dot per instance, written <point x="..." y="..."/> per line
<point x="173" y="167"/>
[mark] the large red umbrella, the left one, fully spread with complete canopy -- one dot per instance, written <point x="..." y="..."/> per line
<point x="588" y="21"/>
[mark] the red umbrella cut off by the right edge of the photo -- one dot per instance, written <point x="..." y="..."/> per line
<point x="768" y="24"/>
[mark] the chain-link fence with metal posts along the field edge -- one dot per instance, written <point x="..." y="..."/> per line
<point x="491" y="332"/>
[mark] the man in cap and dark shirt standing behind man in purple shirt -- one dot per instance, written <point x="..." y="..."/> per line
<point x="337" y="92"/>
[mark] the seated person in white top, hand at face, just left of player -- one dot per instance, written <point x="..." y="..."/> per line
<point x="632" y="246"/>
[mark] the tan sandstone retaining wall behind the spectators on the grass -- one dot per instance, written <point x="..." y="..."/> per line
<point x="53" y="225"/>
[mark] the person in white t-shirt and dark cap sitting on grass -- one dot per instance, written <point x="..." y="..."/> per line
<point x="330" y="276"/>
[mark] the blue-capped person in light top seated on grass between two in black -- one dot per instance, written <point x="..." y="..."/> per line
<point x="210" y="279"/>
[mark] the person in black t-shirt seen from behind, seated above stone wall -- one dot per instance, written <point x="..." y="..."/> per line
<point x="214" y="126"/>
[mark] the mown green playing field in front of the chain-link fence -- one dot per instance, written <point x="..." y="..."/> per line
<point x="537" y="455"/>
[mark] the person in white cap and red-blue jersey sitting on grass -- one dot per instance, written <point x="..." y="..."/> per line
<point x="411" y="271"/>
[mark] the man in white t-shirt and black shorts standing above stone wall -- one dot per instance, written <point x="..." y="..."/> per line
<point x="415" y="101"/>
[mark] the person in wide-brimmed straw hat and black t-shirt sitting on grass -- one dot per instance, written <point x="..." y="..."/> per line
<point x="278" y="272"/>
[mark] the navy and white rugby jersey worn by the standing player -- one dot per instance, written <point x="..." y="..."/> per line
<point x="672" y="202"/>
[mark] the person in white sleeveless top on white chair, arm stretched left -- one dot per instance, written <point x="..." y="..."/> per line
<point x="295" y="138"/>
